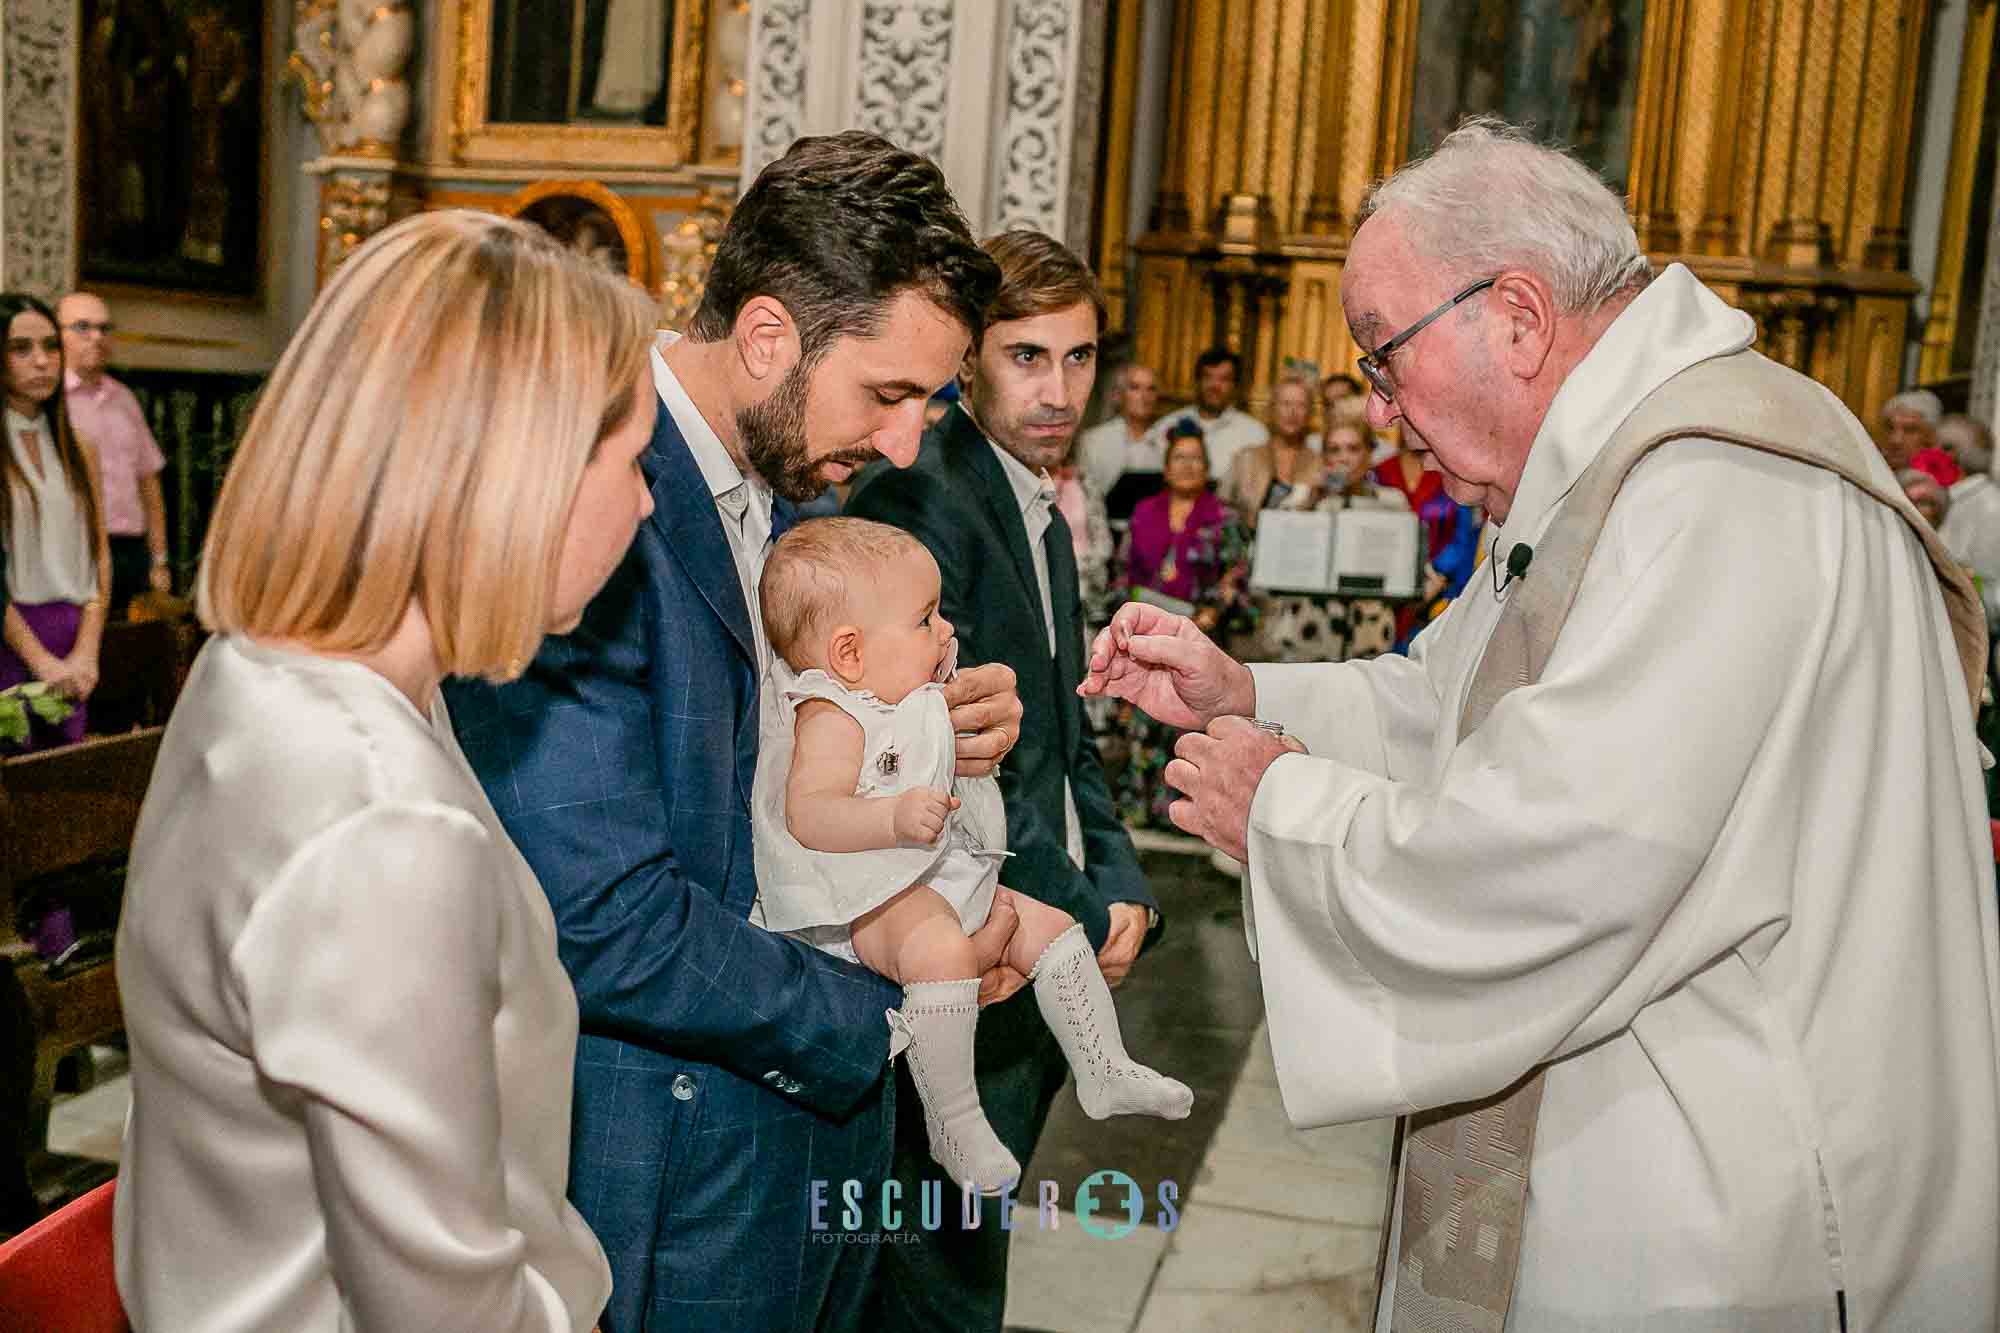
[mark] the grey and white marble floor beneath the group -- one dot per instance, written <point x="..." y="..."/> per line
<point x="1275" y="1228"/>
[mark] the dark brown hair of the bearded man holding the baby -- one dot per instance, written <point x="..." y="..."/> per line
<point x="835" y="231"/>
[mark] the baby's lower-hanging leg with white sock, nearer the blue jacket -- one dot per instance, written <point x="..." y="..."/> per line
<point x="917" y="942"/>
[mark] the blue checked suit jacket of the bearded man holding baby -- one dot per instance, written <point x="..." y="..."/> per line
<point x="719" y="1068"/>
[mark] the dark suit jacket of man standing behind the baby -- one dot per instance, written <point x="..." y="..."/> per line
<point x="959" y="503"/>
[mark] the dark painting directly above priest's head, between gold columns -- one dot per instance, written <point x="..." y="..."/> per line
<point x="1565" y="67"/>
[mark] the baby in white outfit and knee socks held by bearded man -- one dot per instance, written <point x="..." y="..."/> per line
<point x="869" y="850"/>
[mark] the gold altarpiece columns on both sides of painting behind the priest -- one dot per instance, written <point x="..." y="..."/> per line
<point x="1769" y="151"/>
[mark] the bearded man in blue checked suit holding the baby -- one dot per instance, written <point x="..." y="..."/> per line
<point x="721" y="1070"/>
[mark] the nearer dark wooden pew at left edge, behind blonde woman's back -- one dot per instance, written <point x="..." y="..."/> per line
<point x="67" y="822"/>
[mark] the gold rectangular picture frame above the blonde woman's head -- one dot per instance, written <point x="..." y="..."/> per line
<point x="479" y="141"/>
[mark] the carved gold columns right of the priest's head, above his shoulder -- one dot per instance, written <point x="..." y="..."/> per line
<point x="1791" y="143"/>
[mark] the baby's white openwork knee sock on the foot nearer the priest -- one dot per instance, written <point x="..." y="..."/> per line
<point x="1077" y="1006"/>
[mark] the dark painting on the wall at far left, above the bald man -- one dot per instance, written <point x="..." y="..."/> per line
<point x="171" y="145"/>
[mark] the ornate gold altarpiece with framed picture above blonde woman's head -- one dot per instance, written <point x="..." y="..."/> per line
<point x="645" y="193"/>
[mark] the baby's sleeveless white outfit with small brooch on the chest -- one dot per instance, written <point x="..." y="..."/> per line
<point x="817" y="896"/>
